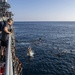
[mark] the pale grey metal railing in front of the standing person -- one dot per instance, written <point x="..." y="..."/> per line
<point x="9" y="60"/>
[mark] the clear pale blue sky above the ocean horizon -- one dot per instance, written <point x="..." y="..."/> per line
<point x="43" y="10"/>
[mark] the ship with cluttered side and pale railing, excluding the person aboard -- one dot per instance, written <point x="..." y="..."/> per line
<point x="10" y="65"/>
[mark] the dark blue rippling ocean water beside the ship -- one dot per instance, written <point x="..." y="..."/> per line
<point x="53" y="44"/>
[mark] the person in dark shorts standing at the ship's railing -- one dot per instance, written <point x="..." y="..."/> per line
<point x="6" y="30"/>
